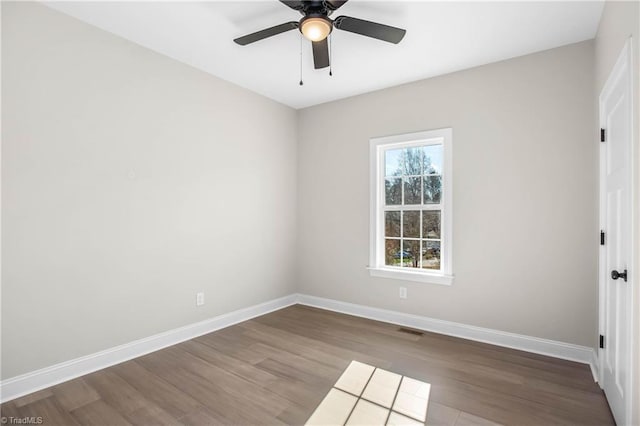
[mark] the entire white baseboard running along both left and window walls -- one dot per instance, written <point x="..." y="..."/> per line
<point x="24" y="384"/>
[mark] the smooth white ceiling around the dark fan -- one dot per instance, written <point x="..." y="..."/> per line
<point x="442" y="37"/>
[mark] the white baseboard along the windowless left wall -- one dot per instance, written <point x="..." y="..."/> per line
<point x="30" y="382"/>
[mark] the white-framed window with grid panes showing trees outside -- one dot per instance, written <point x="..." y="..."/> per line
<point x="411" y="207"/>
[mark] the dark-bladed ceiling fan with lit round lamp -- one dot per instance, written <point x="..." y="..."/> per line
<point x="316" y="25"/>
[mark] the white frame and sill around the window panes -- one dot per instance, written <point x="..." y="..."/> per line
<point x="377" y="267"/>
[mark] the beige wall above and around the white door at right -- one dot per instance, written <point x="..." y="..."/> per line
<point x="621" y="20"/>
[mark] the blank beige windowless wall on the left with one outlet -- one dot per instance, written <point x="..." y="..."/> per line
<point x="130" y="182"/>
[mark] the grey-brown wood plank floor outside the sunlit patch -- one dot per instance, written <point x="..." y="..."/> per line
<point x="275" y="369"/>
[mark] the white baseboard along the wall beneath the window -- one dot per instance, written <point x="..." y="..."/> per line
<point x="521" y="342"/>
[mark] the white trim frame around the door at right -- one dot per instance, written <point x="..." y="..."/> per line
<point x="624" y="63"/>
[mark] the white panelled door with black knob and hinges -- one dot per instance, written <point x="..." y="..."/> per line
<point x="615" y="220"/>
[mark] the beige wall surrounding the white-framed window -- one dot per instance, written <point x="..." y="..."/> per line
<point x="525" y="195"/>
